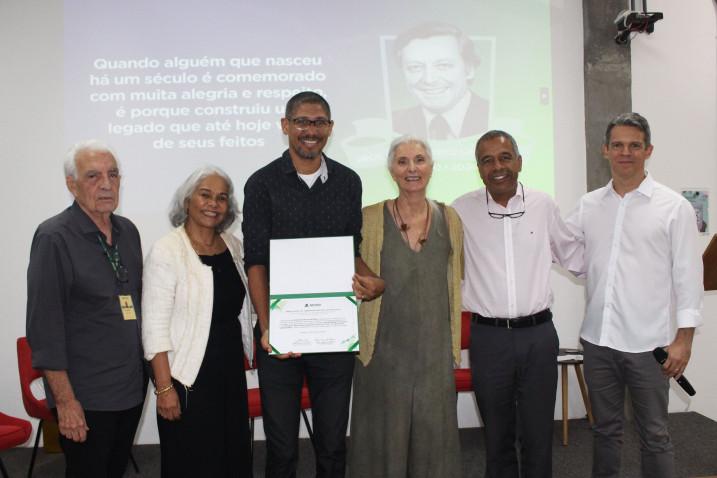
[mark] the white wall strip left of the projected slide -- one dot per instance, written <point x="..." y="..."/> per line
<point x="30" y="138"/>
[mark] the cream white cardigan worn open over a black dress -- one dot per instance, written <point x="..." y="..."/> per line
<point x="177" y="300"/>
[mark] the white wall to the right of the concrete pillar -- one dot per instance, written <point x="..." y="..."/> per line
<point x="674" y="85"/>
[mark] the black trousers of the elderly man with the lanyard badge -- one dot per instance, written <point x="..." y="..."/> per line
<point x="105" y="453"/>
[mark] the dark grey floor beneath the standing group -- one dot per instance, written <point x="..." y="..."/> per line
<point x="694" y="436"/>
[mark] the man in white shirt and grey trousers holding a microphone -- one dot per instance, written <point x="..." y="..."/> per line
<point x="642" y="262"/>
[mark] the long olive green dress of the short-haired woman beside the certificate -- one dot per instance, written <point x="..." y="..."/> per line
<point x="403" y="419"/>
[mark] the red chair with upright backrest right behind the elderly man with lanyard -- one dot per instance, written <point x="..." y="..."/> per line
<point x="35" y="407"/>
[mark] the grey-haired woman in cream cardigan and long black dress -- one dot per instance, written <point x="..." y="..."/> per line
<point x="197" y="327"/>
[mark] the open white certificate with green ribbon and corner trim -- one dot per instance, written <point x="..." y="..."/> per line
<point x="312" y="307"/>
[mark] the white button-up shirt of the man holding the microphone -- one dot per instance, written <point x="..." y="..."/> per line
<point x="643" y="266"/>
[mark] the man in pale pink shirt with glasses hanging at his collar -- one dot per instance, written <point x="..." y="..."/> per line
<point x="512" y="235"/>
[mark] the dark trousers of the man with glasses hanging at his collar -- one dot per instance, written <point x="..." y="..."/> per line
<point x="515" y="377"/>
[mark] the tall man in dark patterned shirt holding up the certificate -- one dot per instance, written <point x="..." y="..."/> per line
<point x="303" y="194"/>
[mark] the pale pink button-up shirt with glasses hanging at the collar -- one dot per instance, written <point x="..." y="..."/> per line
<point x="508" y="261"/>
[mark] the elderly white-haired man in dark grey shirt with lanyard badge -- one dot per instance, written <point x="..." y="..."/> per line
<point x="83" y="297"/>
